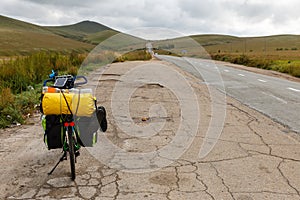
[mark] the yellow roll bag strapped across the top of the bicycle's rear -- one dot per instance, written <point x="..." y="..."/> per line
<point x="81" y="102"/>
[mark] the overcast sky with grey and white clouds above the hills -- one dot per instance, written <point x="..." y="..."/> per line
<point x="233" y="17"/>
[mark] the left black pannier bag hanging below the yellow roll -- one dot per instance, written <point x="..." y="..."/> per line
<point x="53" y="132"/>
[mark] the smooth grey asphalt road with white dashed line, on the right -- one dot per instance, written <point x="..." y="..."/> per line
<point x="274" y="97"/>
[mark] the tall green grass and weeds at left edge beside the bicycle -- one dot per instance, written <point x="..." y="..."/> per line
<point x="21" y="81"/>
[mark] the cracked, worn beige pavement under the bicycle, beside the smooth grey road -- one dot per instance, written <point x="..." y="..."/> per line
<point x="254" y="157"/>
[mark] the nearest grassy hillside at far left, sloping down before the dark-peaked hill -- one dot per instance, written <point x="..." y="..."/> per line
<point x="21" y="38"/>
